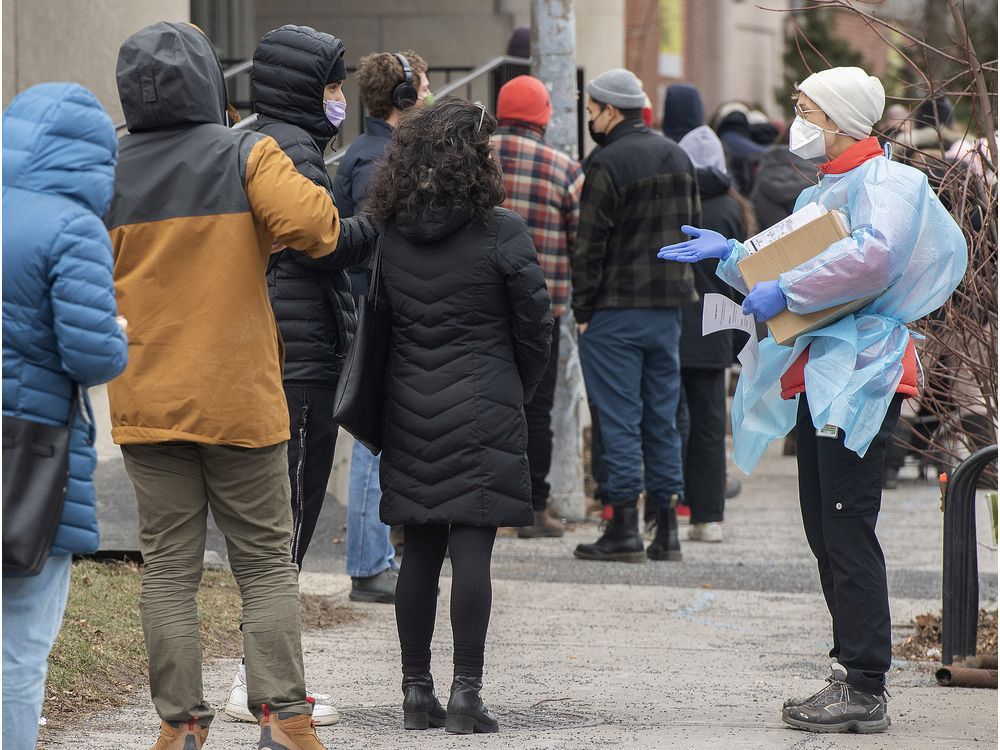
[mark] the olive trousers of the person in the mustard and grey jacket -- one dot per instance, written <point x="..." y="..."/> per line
<point x="248" y="492"/>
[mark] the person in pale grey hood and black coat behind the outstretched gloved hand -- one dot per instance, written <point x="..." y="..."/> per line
<point x="704" y="359"/>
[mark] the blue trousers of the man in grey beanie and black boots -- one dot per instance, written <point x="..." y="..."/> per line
<point x="631" y="366"/>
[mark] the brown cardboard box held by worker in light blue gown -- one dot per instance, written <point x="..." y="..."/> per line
<point x="786" y="253"/>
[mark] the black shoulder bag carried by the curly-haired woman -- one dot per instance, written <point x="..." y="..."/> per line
<point x="360" y="400"/>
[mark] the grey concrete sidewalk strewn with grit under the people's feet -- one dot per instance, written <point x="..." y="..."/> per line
<point x="698" y="654"/>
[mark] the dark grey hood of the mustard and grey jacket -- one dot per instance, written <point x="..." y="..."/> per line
<point x="168" y="74"/>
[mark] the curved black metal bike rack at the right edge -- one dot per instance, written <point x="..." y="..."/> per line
<point x="960" y="580"/>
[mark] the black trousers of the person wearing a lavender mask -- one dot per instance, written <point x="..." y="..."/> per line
<point x="310" y="459"/>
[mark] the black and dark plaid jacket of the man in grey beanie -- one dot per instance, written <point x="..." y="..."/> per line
<point x="639" y="190"/>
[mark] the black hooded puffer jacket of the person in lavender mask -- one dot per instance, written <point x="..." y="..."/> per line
<point x="311" y="298"/>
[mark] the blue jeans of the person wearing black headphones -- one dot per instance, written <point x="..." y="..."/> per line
<point x="369" y="550"/>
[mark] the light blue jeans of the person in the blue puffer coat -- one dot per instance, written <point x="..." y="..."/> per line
<point x="32" y="613"/>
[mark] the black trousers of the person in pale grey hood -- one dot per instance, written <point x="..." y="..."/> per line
<point x="701" y="420"/>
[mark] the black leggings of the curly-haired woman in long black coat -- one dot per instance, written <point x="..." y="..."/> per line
<point x="471" y="548"/>
